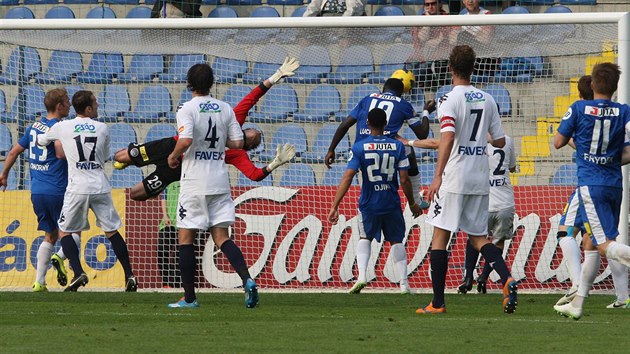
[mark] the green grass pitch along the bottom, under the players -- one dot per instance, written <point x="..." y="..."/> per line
<point x="88" y="322"/>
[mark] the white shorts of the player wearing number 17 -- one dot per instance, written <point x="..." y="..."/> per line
<point x="74" y="214"/>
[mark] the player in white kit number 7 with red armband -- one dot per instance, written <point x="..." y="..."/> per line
<point x="460" y="188"/>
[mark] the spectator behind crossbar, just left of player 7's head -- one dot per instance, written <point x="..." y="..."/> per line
<point x="431" y="49"/>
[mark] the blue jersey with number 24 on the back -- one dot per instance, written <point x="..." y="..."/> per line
<point x="378" y="158"/>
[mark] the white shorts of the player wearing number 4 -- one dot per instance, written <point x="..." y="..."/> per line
<point x="205" y="211"/>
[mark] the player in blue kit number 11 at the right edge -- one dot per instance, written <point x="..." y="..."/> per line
<point x="601" y="138"/>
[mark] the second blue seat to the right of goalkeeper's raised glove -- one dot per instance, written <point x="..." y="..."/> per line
<point x="356" y="63"/>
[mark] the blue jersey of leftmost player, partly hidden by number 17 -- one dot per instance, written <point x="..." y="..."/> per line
<point x="49" y="175"/>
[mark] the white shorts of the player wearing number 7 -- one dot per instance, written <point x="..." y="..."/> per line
<point x="465" y="212"/>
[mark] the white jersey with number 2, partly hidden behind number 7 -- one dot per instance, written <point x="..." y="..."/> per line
<point x="501" y="161"/>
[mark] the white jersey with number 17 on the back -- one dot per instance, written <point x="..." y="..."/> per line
<point x="86" y="146"/>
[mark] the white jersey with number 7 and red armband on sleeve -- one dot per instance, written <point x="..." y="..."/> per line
<point x="469" y="113"/>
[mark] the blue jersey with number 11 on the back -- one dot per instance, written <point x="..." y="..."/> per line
<point x="598" y="128"/>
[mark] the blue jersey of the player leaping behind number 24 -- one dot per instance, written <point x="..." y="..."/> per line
<point x="398" y="111"/>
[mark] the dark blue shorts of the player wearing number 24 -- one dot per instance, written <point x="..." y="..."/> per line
<point x="391" y="224"/>
